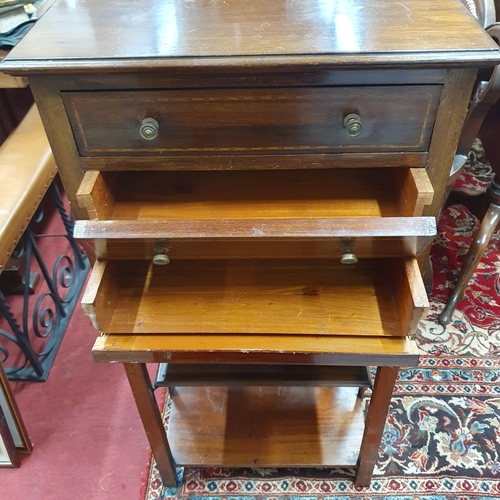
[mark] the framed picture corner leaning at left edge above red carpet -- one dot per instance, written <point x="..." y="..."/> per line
<point x="13" y="432"/>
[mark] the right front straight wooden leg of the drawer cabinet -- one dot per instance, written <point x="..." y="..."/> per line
<point x="375" y="422"/>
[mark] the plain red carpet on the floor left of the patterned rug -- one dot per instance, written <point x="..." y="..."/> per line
<point x="88" y="440"/>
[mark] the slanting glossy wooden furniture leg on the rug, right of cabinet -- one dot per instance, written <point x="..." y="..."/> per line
<point x="471" y="261"/>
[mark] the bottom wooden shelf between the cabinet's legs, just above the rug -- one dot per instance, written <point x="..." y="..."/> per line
<point x="266" y="426"/>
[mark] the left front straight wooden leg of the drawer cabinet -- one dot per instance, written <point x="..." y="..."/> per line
<point x="142" y="390"/>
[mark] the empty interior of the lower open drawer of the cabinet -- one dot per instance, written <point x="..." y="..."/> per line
<point x="383" y="297"/>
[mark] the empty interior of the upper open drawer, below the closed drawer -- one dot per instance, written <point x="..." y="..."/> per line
<point x="201" y="195"/>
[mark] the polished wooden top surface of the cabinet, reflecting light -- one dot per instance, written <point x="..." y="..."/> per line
<point x="230" y="32"/>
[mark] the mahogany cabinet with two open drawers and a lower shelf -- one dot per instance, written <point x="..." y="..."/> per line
<point x="258" y="179"/>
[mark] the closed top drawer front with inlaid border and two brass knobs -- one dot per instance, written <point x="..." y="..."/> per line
<point x="253" y="121"/>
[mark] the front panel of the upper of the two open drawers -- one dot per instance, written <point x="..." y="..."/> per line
<point x="332" y="239"/>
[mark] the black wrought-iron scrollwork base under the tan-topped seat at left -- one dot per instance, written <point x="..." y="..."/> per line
<point x="37" y="334"/>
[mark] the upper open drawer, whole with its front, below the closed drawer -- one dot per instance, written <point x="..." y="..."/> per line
<point x="251" y="214"/>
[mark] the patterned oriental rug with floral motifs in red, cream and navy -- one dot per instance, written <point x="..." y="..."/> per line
<point x="442" y="437"/>
